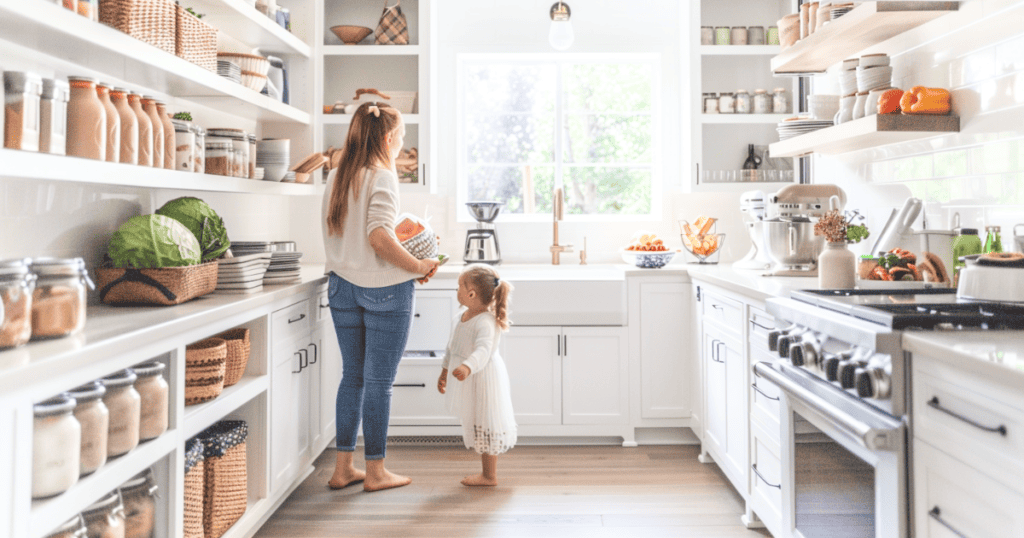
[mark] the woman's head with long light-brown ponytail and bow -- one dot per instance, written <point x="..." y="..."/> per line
<point x="366" y="147"/>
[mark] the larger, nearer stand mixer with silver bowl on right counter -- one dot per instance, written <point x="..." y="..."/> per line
<point x="789" y="234"/>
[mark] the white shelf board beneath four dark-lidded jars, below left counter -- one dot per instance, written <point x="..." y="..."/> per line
<point x="51" y="513"/>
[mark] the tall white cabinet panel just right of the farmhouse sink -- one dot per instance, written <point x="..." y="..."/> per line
<point x="665" y="322"/>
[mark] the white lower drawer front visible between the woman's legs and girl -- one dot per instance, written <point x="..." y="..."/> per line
<point x="415" y="400"/>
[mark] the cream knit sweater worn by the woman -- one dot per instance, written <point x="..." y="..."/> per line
<point x="350" y="256"/>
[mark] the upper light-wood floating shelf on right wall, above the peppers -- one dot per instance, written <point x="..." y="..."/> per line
<point x="867" y="25"/>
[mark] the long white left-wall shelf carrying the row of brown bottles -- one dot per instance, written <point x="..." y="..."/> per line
<point x="31" y="165"/>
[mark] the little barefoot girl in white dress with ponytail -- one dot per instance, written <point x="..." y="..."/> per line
<point x="482" y="399"/>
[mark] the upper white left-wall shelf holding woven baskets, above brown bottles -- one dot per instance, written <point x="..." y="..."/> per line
<point x="72" y="45"/>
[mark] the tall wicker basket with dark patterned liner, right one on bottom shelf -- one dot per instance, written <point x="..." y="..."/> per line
<point x="226" y="493"/>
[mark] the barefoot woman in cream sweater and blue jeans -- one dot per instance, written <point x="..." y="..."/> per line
<point x="371" y="288"/>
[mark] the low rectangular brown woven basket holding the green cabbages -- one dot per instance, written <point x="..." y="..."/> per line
<point x="156" y="286"/>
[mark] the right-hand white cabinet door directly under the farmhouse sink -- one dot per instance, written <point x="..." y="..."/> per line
<point x="595" y="376"/>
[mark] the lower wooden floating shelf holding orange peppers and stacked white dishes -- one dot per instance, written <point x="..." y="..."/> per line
<point x="867" y="133"/>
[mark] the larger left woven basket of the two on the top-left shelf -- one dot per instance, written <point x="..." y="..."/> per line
<point x="149" y="21"/>
